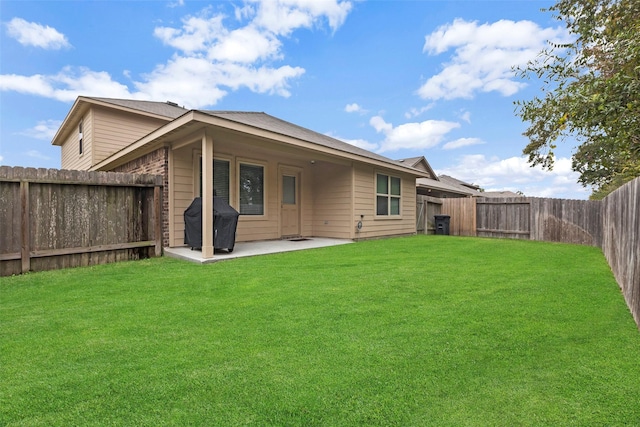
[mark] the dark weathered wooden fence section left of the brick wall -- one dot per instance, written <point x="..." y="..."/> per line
<point x="52" y="219"/>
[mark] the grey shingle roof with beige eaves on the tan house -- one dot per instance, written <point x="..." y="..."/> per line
<point x="181" y="120"/>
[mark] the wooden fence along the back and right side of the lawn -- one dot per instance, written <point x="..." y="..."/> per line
<point x="612" y="224"/>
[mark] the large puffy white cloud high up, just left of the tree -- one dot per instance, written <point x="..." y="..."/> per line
<point x="483" y="56"/>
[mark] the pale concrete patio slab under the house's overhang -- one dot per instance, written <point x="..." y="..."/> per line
<point x="245" y="249"/>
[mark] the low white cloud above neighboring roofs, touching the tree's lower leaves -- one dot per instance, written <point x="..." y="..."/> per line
<point x="515" y="174"/>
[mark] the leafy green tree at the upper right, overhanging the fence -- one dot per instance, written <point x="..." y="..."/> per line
<point x="591" y="93"/>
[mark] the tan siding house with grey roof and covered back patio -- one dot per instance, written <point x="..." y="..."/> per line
<point x="286" y="181"/>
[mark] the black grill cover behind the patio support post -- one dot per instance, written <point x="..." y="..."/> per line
<point x="225" y="223"/>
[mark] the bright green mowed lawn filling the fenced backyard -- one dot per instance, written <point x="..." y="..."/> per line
<point x="426" y="330"/>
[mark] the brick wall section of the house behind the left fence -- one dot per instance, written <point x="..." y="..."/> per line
<point x="156" y="163"/>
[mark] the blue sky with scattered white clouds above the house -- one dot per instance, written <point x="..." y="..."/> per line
<point x="400" y="78"/>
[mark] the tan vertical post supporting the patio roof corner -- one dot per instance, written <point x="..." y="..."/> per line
<point x="207" y="196"/>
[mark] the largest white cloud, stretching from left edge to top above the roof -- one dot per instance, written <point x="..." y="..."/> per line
<point x="211" y="58"/>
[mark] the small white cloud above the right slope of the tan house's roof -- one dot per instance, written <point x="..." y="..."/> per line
<point x="411" y="135"/>
